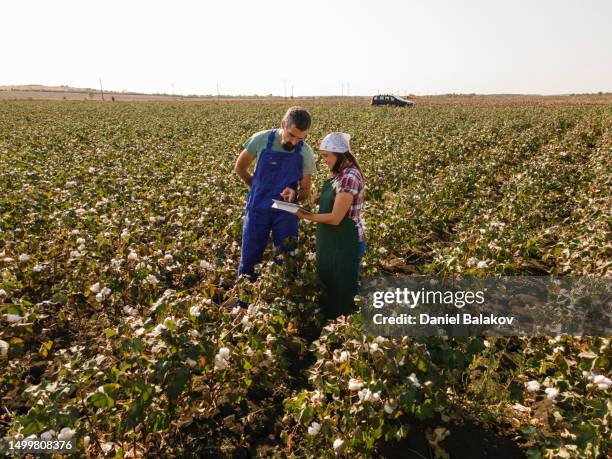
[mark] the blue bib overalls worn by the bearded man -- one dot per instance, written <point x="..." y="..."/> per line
<point x="275" y="171"/>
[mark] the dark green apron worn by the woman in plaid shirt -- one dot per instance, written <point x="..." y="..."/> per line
<point x="337" y="264"/>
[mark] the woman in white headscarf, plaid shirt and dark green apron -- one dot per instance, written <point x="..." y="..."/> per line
<point x="340" y="229"/>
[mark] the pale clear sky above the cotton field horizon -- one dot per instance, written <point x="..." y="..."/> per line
<point x="318" y="47"/>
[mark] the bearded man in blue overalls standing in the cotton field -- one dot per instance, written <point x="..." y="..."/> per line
<point x="284" y="168"/>
